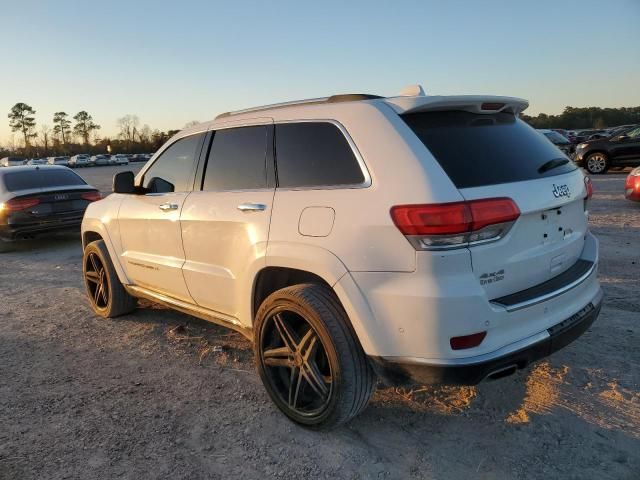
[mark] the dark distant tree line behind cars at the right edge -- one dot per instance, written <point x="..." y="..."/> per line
<point x="586" y="117"/>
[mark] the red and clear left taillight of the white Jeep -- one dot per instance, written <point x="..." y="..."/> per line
<point x="444" y="226"/>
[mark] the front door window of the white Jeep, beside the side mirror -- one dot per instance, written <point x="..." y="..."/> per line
<point x="173" y="170"/>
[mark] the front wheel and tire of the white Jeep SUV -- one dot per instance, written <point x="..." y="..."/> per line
<point x="107" y="296"/>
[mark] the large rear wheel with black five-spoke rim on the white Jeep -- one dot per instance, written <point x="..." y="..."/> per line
<point x="302" y="336"/>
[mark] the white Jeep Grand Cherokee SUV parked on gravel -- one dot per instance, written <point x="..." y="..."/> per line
<point x="414" y="238"/>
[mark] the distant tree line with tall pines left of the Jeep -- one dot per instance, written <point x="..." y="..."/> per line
<point x="78" y="134"/>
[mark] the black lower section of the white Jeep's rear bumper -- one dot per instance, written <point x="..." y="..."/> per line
<point x="471" y="371"/>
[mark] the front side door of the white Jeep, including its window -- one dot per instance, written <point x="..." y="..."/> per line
<point x="152" y="252"/>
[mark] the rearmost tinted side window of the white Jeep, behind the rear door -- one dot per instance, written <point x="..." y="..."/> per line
<point x="314" y="154"/>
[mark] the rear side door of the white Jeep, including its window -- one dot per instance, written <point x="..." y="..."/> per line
<point x="225" y="225"/>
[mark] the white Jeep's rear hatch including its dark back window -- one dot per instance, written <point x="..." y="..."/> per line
<point x="497" y="155"/>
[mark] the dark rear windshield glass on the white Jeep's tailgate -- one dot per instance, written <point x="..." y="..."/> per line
<point x="477" y="149"/>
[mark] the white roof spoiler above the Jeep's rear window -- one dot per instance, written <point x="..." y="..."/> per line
<point x="483" y="104"/>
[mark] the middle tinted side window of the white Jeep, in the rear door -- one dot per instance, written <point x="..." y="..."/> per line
<point x="237" y="159"/>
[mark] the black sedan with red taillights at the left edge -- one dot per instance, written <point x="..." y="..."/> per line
<point x="41" y="199"/>
